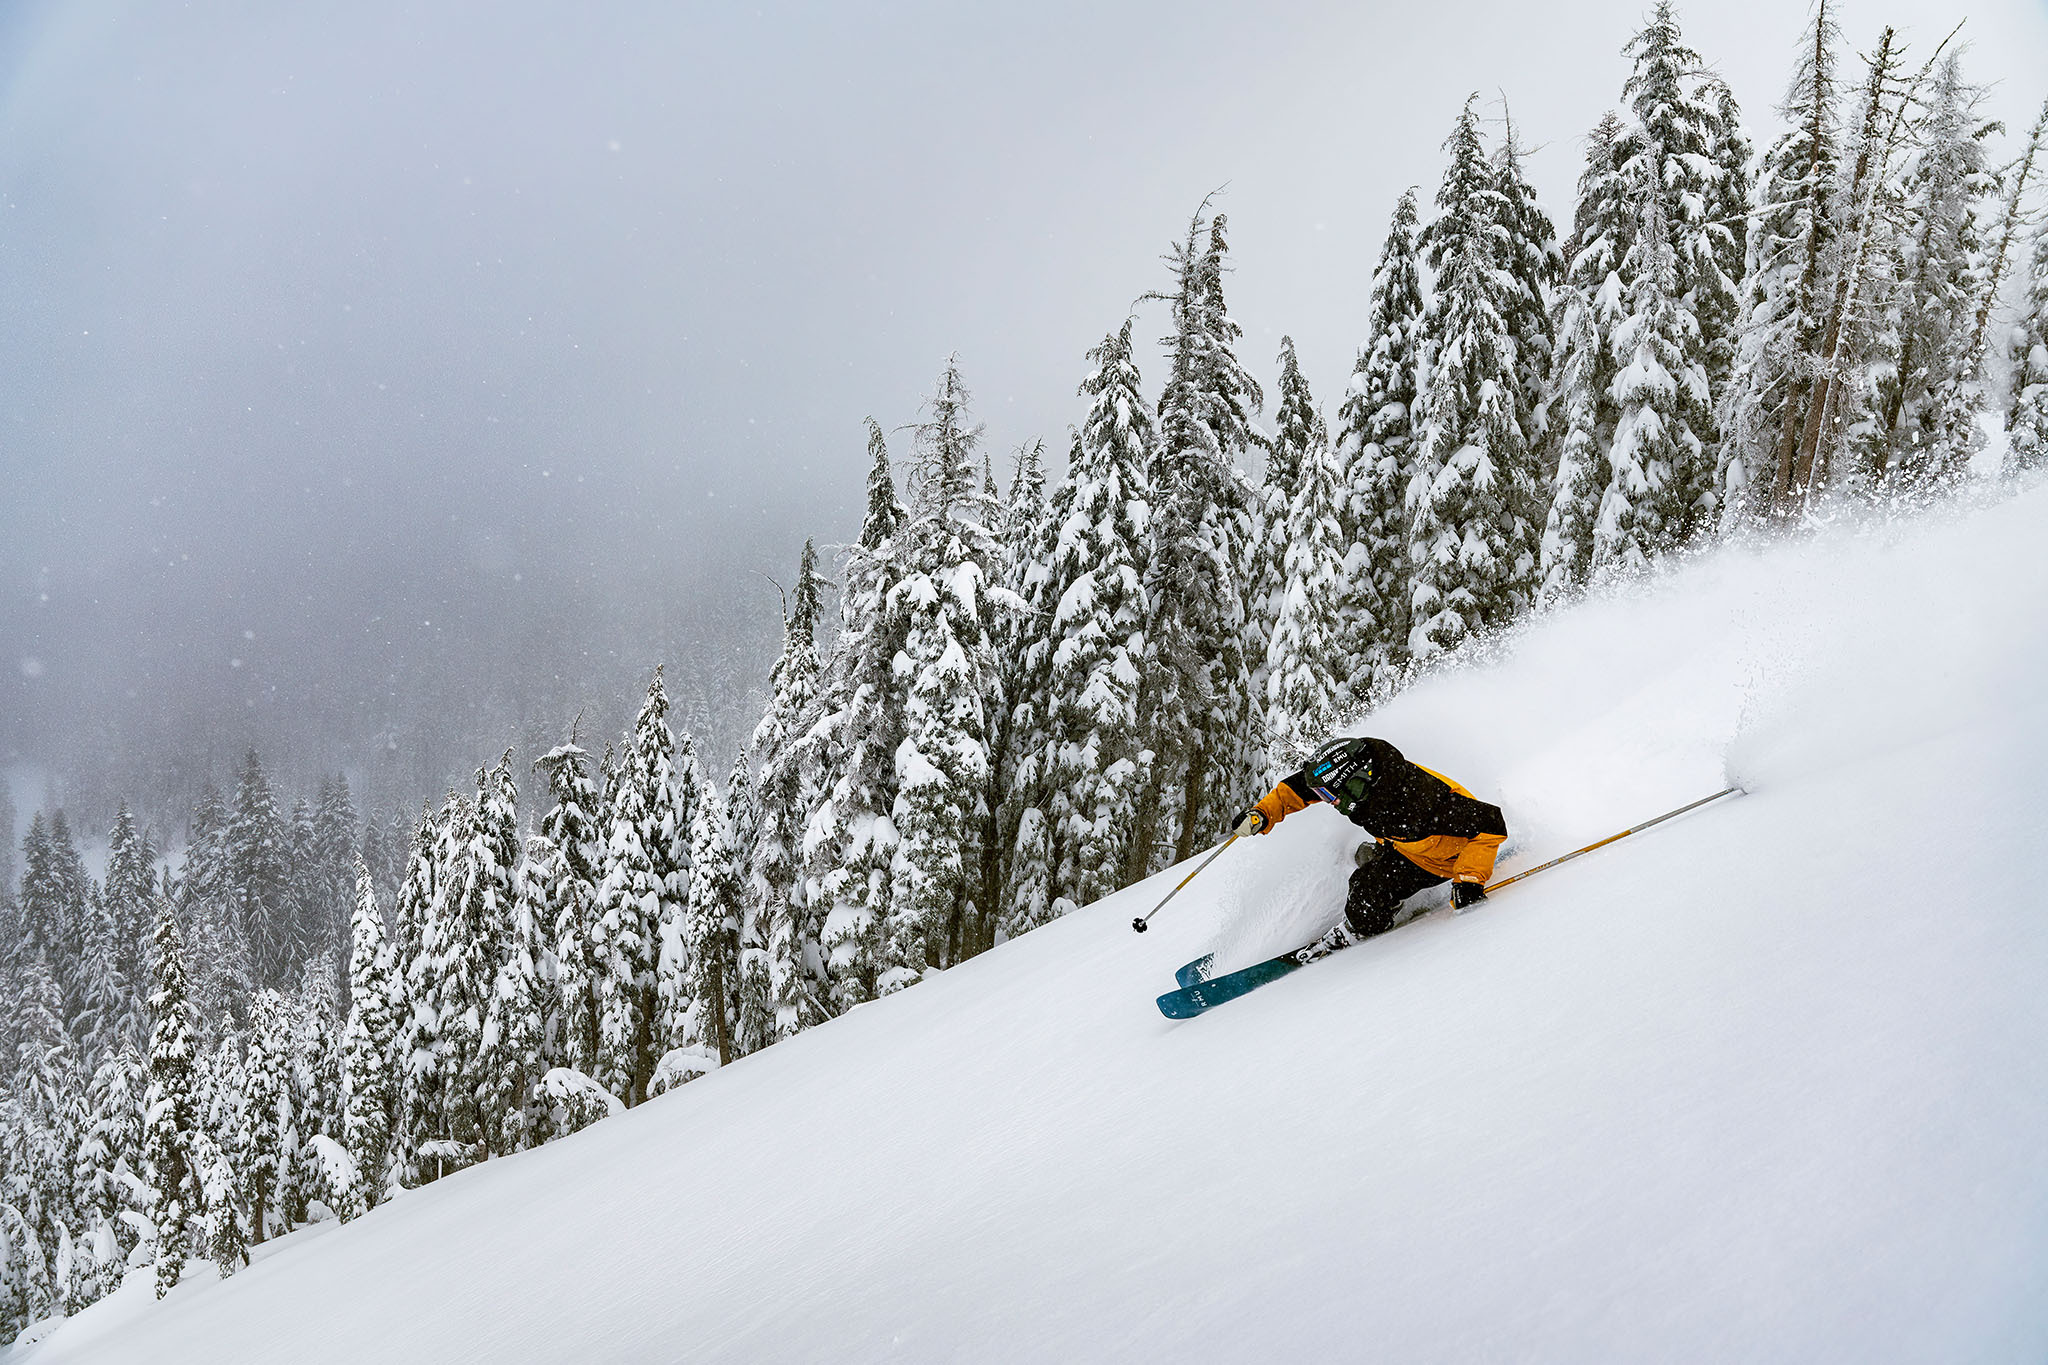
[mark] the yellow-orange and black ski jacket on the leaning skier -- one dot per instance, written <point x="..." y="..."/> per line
<point x="1424" y="816"/>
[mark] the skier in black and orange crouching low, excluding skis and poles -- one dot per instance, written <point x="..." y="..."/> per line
<point x="1426" y="830"/>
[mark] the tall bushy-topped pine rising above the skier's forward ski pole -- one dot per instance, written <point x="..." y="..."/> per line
<point x="1197" y="707"/>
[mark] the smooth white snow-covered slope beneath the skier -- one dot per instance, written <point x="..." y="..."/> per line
<point x="1768" y="1084"/>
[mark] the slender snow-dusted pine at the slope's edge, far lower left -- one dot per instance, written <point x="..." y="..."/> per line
<point x="171" y="1120"/>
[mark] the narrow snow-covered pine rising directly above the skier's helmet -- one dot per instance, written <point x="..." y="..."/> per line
<point x="1306" y="664"/>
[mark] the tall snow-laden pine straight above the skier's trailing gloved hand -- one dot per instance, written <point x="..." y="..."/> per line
<point x="1471" y="543"/>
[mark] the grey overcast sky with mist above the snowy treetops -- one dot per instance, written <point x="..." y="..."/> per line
<point x="409" y="367"/>
